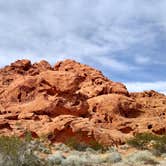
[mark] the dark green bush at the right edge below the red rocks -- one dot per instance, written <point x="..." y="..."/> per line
<point x="149" y="141"/>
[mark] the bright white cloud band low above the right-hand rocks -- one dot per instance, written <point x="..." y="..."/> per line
<point x="159" y="86"/>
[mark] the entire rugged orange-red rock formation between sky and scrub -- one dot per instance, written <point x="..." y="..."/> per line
<point x="74" y="100"/>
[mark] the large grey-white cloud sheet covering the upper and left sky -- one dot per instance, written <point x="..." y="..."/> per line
<point x="77" y="28"/>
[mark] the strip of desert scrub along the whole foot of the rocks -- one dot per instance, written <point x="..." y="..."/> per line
<point x="15" y="151"/>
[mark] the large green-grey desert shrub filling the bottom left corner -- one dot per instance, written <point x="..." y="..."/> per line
<point x="17" y="152"/>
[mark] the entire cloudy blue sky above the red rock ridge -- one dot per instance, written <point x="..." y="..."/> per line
<point x="124" y="39"/>
